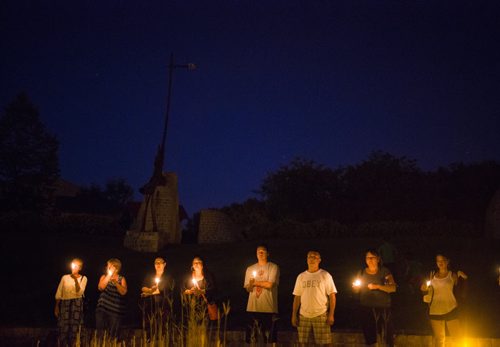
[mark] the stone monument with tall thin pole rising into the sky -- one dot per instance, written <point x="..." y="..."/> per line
<point x="157" y="223"/>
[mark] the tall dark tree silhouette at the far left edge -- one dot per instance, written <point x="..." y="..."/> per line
<point x="29" y="163"/>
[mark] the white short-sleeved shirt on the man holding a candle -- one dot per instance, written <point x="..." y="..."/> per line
<point x="263" y="299"/>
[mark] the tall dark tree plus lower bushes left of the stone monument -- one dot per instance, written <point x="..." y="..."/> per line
<point x="29" y="170"/>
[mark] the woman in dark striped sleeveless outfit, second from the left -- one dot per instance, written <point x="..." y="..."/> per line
<point x="110" y="305"/>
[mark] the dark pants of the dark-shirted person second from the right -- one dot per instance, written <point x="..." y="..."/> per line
<point x="374" y="321"/>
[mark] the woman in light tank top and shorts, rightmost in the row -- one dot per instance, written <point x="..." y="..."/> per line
<point x="443" y="308"/>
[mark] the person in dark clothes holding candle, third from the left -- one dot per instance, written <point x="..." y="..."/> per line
<point x="156" y="290"/>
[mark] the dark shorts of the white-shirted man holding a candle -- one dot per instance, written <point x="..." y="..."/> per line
<point x="262" y="324"/>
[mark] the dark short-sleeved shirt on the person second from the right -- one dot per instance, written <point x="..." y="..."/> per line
<point x="374" y="298"/>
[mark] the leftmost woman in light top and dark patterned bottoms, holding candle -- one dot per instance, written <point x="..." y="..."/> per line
<point x="69" y="303"/>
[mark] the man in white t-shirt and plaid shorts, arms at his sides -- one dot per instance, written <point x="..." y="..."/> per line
<point x="314" y="293"/>
